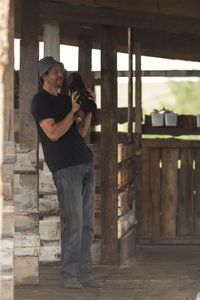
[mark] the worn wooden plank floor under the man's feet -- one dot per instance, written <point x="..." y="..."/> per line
<point x="155" y="273"/>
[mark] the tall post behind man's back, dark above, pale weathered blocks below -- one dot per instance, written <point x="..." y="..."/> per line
<point x="26" y="171"/>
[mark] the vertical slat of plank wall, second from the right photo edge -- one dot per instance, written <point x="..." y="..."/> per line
<point x="185" y="192"/>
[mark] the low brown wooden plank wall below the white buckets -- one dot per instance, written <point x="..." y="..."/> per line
<point x="170" y="191"/>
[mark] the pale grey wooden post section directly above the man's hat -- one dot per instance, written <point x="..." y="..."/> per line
<point x="51" y="36"/>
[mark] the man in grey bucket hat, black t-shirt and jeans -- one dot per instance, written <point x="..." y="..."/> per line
<point x="70" y="161"/>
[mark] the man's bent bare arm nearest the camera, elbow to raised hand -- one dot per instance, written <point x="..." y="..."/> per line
<point x="54" y="130"/>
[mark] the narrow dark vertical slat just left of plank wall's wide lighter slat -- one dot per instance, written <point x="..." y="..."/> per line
<point x="154" y="192"/>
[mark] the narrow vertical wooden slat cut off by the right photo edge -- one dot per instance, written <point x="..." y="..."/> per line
<point x="196" y="191"/>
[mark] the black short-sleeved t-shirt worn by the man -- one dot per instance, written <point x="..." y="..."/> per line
<point x="68" y="150"/>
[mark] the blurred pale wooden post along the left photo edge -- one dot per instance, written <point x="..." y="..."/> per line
<point x="6" y="144"/>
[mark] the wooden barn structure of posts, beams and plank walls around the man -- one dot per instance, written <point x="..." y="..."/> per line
<point x="148" y="190"/>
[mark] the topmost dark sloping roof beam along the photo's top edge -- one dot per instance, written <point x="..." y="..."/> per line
<point x="118" y="17"/>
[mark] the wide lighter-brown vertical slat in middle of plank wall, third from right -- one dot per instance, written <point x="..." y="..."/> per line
<point x="169" y="192"/>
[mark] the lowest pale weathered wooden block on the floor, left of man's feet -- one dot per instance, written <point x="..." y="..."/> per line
<point x="26" y="270"/>
